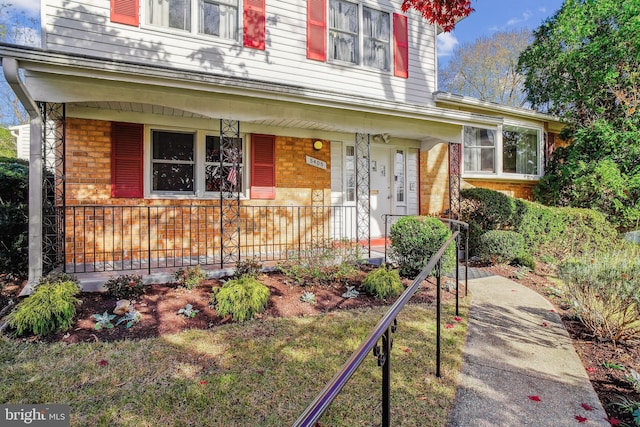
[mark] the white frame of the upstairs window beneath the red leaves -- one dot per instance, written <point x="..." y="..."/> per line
<point x="360" y="37"/>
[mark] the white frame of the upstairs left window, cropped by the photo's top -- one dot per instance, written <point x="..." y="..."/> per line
<point x="195" y="21"/>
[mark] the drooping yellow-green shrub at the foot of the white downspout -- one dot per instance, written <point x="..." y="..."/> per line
<point x="50" y="308"/>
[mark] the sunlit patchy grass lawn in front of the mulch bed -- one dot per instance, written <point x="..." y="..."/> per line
<point x="260" y="373"/>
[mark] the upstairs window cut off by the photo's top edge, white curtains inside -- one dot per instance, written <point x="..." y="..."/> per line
<point x="214" y="17"/>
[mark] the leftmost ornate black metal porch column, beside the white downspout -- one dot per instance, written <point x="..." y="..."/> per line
<point x="53" y="186"/>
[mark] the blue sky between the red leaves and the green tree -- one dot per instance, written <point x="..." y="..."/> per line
<point x="492" y="16"/>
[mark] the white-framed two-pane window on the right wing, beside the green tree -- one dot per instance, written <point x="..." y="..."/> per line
<point x="514" y="150"/>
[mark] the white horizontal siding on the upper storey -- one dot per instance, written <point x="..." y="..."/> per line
<point x="83" y="27"/>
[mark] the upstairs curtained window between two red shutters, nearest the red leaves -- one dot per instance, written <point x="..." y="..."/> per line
<point x="359" y="35"/>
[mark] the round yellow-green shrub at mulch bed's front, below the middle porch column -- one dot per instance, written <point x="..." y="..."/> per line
<point x="242" y="298"/>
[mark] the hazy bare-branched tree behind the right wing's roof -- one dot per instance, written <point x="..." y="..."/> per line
<point x="487" y="68"/>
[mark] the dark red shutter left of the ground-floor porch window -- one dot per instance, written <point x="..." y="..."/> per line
<point x="126" y="160"/>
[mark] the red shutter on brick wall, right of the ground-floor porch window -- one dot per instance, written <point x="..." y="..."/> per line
<point x="263" y="167"/>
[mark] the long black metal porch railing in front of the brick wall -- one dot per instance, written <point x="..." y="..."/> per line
<point x="118" y="238"/>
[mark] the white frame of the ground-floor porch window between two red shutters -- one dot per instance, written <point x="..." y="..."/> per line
<point x="199" y="186"/>
